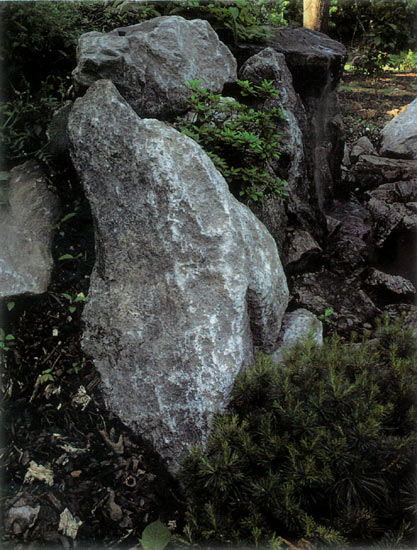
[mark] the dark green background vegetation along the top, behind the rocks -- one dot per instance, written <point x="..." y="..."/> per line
<point x="39" y="45"/>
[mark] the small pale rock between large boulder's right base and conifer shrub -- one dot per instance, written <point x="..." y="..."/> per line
<point x="297" y="326"/>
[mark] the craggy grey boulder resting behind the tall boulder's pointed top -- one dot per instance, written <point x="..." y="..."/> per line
<point x="151" y="62"/>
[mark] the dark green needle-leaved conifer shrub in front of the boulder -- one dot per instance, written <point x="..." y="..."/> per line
<point x="322" y="446"/>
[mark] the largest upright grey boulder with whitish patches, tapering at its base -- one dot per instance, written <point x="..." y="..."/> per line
<point x="186" y="282"/>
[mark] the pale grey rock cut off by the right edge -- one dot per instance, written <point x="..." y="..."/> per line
<point x="399" y="136"/>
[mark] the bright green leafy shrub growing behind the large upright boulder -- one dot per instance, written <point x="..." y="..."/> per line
<point x="241" y="140"/>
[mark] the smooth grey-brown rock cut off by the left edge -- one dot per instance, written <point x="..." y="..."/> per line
<point x="25" y="232"/>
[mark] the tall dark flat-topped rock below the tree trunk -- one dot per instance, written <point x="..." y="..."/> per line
<point x="316" y="63"/>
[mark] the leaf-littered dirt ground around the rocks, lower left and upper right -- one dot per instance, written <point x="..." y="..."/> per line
<point x="53" y="412"/>
